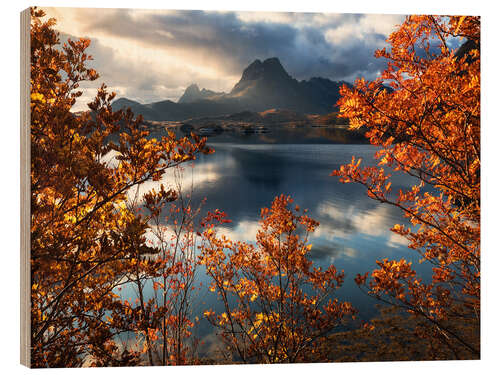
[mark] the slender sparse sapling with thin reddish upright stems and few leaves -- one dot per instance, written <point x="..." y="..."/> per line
<point x="176" y="237"/>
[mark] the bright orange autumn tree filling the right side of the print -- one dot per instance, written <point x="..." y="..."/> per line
<point x="428" y="127"/>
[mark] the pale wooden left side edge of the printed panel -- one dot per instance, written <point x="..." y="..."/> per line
<point x="25" y="321"/>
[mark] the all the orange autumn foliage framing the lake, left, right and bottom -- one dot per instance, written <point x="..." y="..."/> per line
<point x="89" y="238"/>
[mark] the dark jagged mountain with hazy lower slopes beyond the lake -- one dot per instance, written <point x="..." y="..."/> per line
<point x="263" y="85"/>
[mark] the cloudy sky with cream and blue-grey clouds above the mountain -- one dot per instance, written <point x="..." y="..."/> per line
<point x="148" y="55"/>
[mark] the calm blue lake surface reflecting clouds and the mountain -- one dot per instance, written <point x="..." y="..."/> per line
<point x="241" y="178"/>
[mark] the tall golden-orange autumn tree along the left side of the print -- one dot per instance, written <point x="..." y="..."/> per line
<point x="84" y="238"/>
